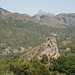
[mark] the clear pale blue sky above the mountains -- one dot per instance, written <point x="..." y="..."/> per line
<point x="32" y="7"/>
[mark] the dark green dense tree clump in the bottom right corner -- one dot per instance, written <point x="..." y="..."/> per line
<point x="65" y="64"/>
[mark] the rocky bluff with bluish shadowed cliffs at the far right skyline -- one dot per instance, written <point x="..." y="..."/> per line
<point x="68" y="18"/>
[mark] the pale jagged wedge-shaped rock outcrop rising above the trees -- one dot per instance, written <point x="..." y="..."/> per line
<point x="49" y="48"/>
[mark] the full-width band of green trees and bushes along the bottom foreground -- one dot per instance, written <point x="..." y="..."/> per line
<point x="64" y="65"/>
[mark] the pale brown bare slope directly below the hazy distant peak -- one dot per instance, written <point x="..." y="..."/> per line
<point x="51" y="21"/>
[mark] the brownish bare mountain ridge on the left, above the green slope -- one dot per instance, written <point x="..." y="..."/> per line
<point x="11" y="17"/>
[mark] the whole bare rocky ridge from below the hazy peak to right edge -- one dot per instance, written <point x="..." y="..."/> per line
<point x="59" y="21"/>
